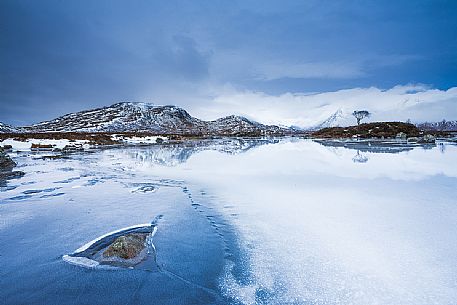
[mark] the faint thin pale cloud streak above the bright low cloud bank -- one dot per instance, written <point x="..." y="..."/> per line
<point x="264" y="66"/>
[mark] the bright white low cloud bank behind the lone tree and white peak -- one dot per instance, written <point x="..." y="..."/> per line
<point x="416" y="102"/>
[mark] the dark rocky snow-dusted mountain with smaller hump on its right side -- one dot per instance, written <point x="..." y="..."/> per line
<point x="125" y="117"/>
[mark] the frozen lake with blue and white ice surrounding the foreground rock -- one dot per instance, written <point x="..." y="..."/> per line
<point x="238" y="222"/>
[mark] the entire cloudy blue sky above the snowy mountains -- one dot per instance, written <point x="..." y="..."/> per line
<point x="283" y="62"/>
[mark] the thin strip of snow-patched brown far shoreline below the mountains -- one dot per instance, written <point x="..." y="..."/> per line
<point x="64" y="144"/>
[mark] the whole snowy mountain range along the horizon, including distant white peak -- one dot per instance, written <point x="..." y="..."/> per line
<point x="168" y="119"/>
